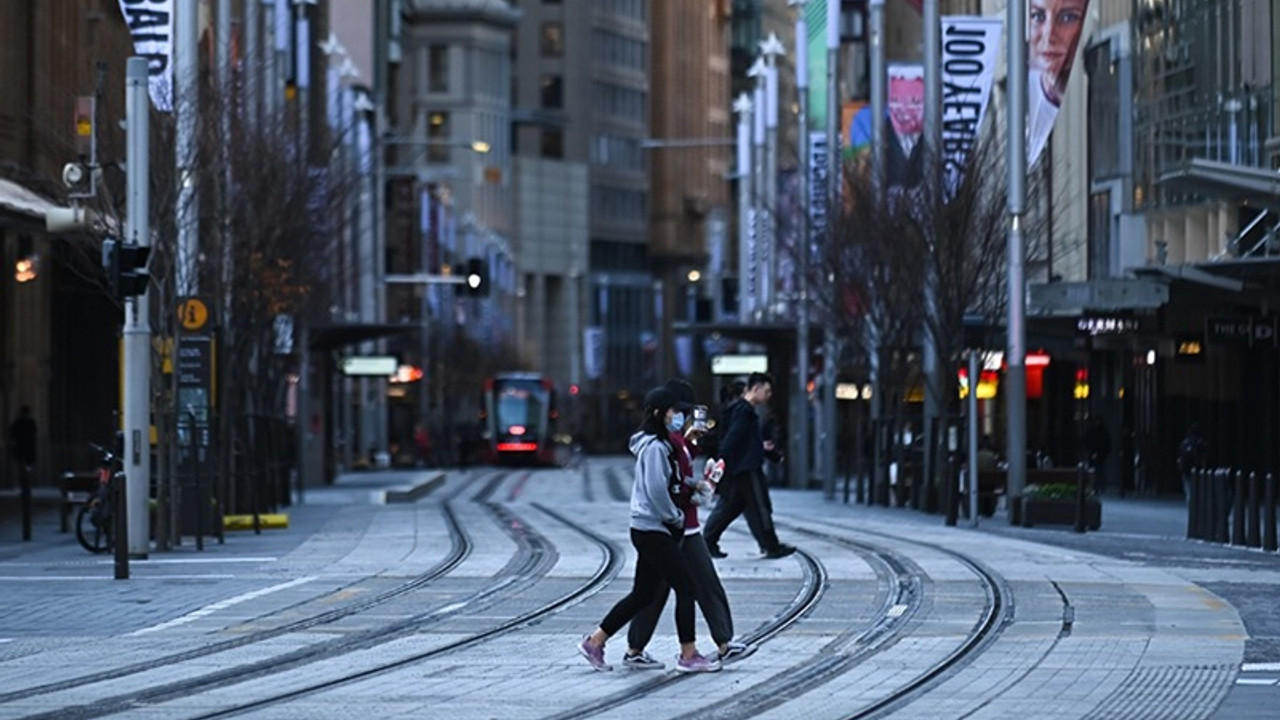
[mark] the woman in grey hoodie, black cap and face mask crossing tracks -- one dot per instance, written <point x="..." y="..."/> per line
<point x="657" y="531"/>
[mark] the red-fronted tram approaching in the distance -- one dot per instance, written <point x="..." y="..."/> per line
<point x="520" y="418"/>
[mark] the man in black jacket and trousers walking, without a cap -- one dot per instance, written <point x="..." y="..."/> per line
<point x="743" y="490"/>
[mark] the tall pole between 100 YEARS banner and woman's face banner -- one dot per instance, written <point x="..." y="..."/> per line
<point x="1016" y="357"/>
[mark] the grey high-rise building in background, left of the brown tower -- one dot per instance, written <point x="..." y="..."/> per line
<point x="582" y="92"/>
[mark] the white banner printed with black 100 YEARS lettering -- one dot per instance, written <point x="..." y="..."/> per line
<point x="971" y="48"/>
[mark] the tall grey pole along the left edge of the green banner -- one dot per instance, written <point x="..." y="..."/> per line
<point x="799" y="449"/>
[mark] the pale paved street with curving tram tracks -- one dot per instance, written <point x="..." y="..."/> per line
<point x="463" y="595"/>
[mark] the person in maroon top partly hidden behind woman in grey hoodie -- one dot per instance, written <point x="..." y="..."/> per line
<point x="712" y="599"/>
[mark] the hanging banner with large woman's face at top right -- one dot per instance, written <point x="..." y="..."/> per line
<point x="1054" y="30"/>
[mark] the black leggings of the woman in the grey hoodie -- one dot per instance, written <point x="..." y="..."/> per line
<point x="659" y="559"/>
